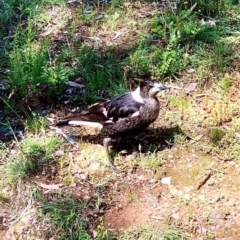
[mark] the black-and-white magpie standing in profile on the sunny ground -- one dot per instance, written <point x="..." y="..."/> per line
<point x="124" y="115"/>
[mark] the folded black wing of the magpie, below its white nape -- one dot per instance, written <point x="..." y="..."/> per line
<point x="122" y="106"/>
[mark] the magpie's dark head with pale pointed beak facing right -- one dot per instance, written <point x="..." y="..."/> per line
<point x="151" y="88"/>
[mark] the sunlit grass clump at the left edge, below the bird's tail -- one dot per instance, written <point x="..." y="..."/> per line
<point x="34" y="156"/>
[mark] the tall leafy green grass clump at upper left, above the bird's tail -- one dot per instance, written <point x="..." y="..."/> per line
<point x="30" y="68"/>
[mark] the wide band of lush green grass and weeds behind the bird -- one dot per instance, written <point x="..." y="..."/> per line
<point x="34" y="66"/>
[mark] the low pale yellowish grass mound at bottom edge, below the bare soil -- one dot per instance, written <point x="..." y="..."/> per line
<point x="164" y="232"/>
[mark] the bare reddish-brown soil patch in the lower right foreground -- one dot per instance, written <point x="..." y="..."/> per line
<point x="201" y="198"/>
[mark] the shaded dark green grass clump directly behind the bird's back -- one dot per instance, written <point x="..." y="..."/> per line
<point x="102" y="73"/>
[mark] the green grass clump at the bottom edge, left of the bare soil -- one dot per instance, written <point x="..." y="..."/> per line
<point x="67" y="215"/>
